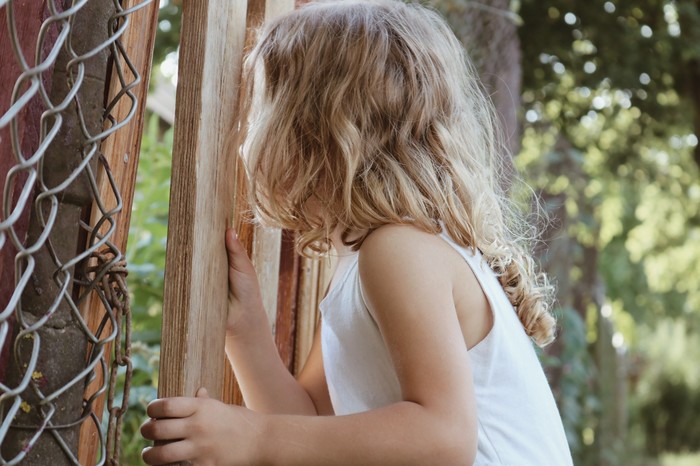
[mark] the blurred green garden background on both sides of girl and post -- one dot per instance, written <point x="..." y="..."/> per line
<point x="600" y="102"/>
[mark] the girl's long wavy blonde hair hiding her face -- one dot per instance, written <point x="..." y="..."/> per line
<point x="365" y="113"/>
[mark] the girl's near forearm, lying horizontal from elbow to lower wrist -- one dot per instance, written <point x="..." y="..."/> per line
<point x="404" y="433"/>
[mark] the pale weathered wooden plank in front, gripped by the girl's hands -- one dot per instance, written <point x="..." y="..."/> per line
<point x="196" y="287"/>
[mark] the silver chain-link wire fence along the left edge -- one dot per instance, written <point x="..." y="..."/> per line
<point x="56" y="229"/>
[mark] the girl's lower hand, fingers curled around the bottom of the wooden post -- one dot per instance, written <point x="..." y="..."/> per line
<point x="201" y="430"/>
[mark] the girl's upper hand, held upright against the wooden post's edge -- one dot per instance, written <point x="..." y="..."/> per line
<point x="244" y="296"/>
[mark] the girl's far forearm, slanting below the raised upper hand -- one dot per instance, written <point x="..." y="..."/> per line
<point x="265" y="382"/>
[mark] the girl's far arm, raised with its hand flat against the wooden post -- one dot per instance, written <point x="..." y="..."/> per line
<point x="265" y="382"/>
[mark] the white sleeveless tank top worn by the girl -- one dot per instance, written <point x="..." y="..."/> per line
<point x="517" y="418"/>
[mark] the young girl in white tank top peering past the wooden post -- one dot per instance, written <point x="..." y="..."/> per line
<point x="369" y="132"/>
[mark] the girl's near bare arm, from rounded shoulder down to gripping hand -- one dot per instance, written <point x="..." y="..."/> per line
<point x="407" y="278"/>
